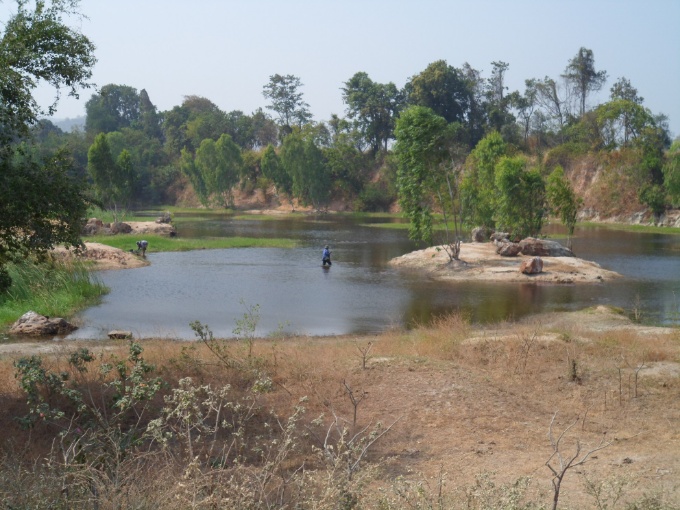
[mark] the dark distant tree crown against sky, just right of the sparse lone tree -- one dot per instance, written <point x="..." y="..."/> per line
<point x="374" y="107"/>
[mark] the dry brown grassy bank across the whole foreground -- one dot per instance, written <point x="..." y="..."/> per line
<point x="470" y="401"/>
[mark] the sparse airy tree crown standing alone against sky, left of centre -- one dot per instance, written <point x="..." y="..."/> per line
<point x="286" y="101"/>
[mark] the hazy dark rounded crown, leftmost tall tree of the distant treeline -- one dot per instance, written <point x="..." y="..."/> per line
<point x="113" y="108"/>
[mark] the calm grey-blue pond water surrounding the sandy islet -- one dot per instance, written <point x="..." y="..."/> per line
<point x="359" y="294"/>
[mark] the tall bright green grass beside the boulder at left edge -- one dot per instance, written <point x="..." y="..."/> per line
<point x="57" y="290"/>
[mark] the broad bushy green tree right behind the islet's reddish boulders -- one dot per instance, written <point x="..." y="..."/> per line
<point x="520" y="204"/>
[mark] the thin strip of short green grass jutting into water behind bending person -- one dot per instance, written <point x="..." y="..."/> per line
<point x="159" y="243"/>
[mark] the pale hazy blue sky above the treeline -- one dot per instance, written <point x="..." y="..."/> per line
<point x="226" y="50"/>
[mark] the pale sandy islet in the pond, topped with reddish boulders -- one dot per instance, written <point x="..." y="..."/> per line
<point x="479" y="261"/>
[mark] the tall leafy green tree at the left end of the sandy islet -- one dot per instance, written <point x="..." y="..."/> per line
<point x="428" y="174"/>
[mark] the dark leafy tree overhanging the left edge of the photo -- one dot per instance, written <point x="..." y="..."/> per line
<point x="41" y="204"/>
